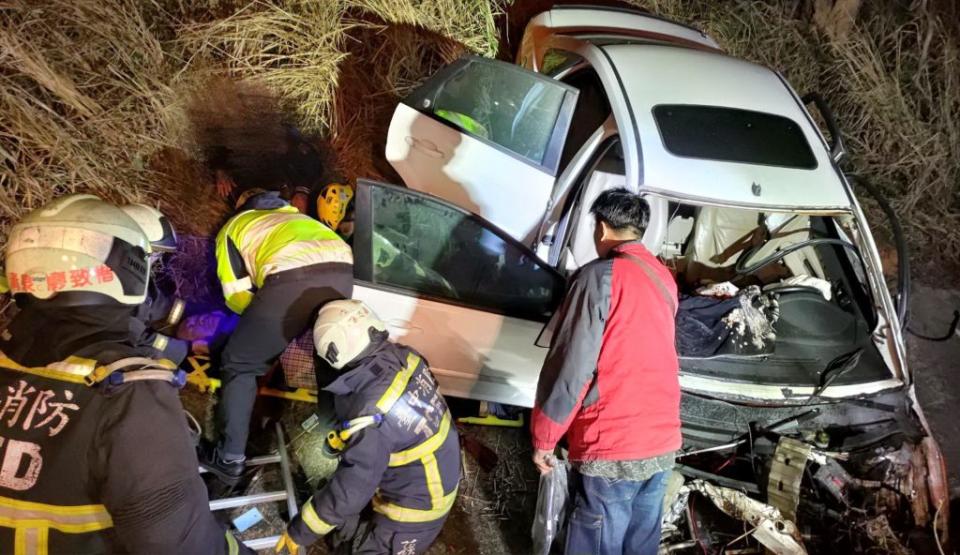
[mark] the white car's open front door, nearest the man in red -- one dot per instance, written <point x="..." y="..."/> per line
<point x="463" y="293"/>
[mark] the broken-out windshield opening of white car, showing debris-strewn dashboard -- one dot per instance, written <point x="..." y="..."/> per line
<point x="770" y="298"/>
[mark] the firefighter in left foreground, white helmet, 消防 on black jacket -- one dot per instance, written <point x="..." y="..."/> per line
<point x="95" y="454"/>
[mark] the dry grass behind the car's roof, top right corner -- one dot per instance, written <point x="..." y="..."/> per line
<point x="894" y="85"/>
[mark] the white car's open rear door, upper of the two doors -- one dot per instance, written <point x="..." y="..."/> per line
<point x="487" y="136"/>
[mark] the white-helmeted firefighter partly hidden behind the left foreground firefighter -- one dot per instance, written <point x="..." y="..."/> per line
<point x="160" y="311"/>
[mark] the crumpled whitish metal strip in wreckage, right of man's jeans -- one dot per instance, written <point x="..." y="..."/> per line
<point x="778" y="534"/>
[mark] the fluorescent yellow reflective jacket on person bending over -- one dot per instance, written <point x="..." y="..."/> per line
<point x="258" y="243"/>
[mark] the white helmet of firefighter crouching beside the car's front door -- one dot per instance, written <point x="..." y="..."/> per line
<point x="345" y="330"/>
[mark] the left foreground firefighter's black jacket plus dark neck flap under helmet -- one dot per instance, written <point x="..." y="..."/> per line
<point x="95" y="469"/>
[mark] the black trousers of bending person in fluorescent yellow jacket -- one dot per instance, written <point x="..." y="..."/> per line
<point x="281" y="310"/>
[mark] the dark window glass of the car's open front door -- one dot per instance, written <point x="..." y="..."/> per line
<point x="427" y="246"/>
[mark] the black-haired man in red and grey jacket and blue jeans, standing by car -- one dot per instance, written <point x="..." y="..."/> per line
<point x="610" y="385"/>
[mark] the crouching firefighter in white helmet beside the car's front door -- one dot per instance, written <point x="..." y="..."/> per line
<point x="399" y="448"/>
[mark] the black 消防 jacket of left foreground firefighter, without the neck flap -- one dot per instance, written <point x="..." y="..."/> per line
<point x="82" y="479"/>
